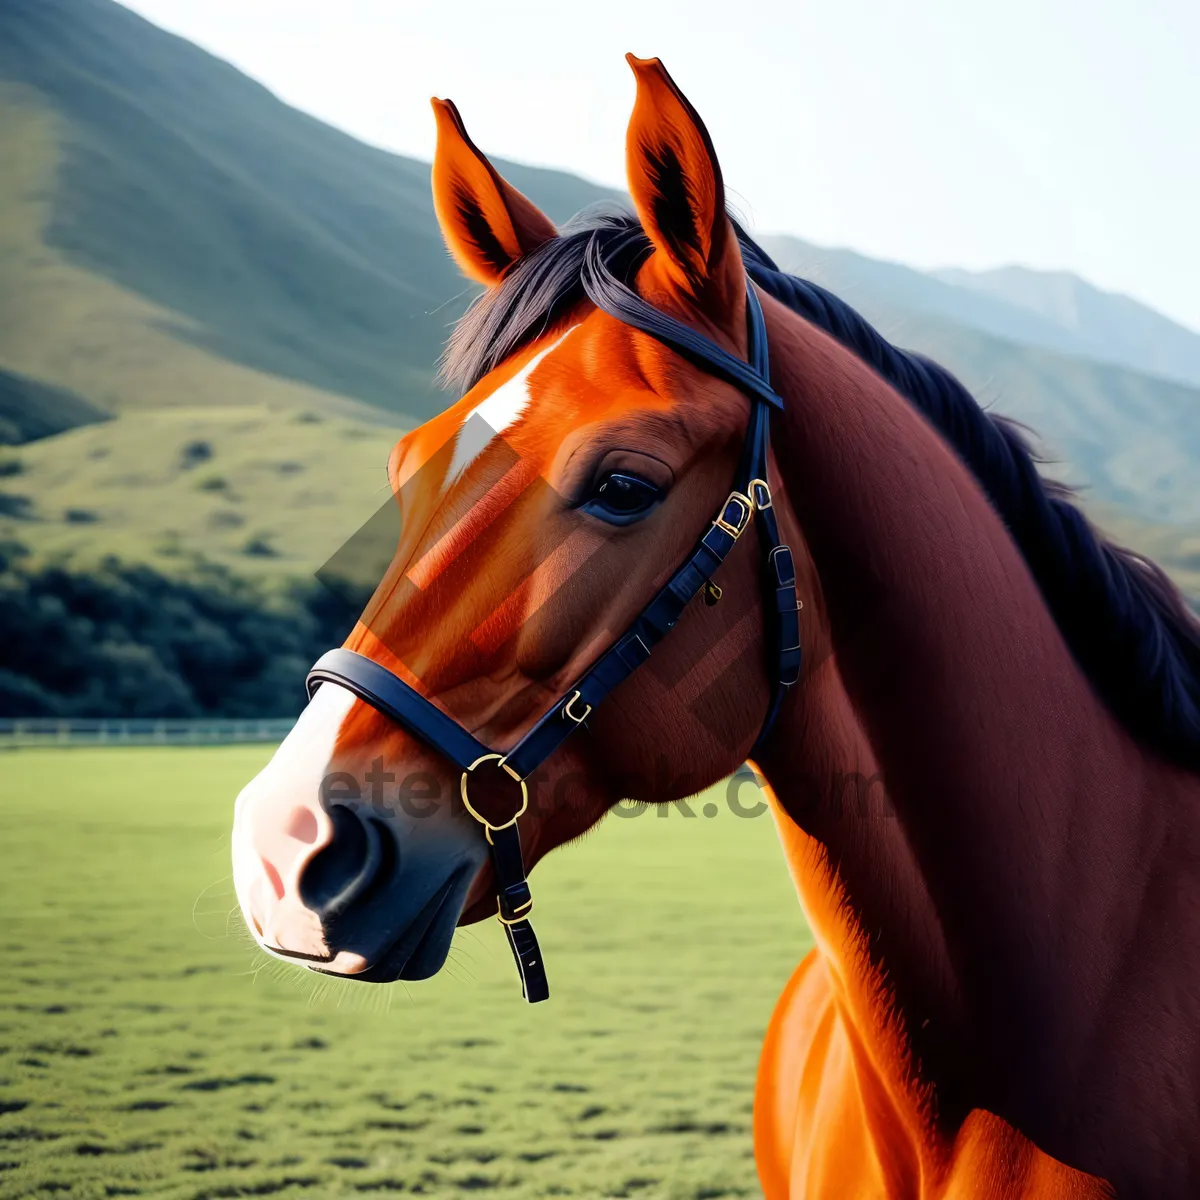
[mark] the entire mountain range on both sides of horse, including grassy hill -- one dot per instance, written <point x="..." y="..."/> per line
<point x="183" y="253"/>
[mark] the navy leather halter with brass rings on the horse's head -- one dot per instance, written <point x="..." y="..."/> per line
<point x="751" y="499"/>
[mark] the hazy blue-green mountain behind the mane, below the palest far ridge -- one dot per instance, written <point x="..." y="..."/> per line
<point x="1130" y="439"/>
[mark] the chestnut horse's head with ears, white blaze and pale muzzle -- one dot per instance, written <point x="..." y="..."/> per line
<point x="539" y="515"/>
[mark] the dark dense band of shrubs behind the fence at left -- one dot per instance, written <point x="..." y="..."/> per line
<point x="128" y="641"/>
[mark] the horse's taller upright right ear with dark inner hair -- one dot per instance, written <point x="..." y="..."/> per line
<point x="676" y="181"/>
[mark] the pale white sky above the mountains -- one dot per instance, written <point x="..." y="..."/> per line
<point x="976" y="134"/>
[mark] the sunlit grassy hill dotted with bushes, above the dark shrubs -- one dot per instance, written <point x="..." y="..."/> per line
<point x="274" y="494"/>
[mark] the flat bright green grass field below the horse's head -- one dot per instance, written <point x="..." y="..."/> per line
<point x="148" y="1049"/>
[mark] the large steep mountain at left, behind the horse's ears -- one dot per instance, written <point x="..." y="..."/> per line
<point x="163" y="193"/>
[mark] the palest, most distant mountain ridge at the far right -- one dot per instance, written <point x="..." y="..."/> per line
<point x="1103" y="326"/>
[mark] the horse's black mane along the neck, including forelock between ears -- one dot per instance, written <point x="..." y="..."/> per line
<point x="1125" y="621"/>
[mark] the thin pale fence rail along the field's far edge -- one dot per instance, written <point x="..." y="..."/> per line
<point x="93" y="733"/>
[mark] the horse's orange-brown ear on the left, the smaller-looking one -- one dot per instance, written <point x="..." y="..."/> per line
<point x="488" y="224"/>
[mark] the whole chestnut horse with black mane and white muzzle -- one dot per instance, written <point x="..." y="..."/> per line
<point x="1004" y="995"/>
